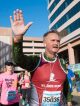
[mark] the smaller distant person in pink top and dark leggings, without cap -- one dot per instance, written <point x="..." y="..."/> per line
<point x="25" y="85"/>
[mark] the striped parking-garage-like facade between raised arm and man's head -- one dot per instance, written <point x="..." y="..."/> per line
<point x="32" y="46"/>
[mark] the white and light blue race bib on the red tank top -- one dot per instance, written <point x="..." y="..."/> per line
<point x="51" y="98"/>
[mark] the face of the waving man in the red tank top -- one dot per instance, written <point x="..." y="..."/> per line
<point x="52" y="42"/>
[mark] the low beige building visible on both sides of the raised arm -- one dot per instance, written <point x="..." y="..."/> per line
<point x="31" y="46"/>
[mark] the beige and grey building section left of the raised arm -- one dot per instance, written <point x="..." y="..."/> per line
<point x="5" y="46"/>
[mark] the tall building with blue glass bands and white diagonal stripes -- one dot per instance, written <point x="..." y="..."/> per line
<point x="64" y="16"/>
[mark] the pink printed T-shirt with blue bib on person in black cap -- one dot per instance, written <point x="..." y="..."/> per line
<point x="9" y="88"/>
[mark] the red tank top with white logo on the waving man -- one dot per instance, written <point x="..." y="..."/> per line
<point x="49" y="76"/>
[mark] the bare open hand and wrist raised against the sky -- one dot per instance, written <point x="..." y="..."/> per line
<point x="17" y="25"/>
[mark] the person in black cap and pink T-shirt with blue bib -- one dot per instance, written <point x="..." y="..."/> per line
<point x="8" y="83"/>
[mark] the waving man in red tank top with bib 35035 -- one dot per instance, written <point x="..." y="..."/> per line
<point x="48" y="71"/>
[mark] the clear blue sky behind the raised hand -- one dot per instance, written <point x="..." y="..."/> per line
<point x="33" y="10"/>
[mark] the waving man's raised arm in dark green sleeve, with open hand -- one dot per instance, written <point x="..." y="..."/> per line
<point x="19" y="29"/>
